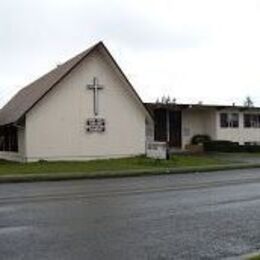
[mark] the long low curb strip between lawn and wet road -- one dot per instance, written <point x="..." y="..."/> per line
<point x="119" y="174"/>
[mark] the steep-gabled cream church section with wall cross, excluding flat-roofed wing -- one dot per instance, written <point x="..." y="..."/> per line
<point x="84" y="109"/>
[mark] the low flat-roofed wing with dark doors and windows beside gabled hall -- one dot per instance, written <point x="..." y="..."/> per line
<point x="178" y="123"/>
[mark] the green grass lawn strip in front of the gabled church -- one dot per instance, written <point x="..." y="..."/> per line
<point x="10" y="168"/>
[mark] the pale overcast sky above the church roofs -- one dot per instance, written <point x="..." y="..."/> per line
<point x="194" y="50"/>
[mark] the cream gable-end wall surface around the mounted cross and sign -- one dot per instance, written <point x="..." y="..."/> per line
<point x="55" y="127"/>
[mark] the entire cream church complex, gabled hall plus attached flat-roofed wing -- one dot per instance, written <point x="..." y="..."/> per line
<point x="87" y="109"/>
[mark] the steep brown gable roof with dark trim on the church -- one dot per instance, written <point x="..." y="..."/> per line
<point x="27" y="97"/>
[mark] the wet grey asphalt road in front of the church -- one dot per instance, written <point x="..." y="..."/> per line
<point x="194" y="216"/>
